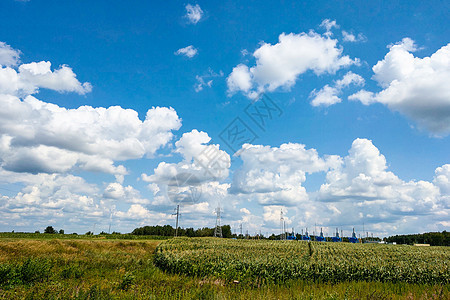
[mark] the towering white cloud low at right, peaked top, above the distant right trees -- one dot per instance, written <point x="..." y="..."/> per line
<point x="361" y="189"/>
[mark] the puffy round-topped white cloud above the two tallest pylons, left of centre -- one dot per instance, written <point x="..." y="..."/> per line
<point x="196" y="176"/>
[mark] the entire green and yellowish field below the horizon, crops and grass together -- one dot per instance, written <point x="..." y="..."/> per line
<point x="202" y="268"/>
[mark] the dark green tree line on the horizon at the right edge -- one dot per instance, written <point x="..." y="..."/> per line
<point x="432" y="238"/>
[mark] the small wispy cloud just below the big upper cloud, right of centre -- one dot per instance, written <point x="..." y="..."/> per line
<point x="330" y="95"/>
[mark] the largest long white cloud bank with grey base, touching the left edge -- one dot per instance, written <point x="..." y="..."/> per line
<point x="48" y="137"/>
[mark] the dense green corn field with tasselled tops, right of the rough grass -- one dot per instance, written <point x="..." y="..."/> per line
<point x="262" y="261"/>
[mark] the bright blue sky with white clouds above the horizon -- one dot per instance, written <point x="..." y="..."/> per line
<point x="141" y="91"/>
